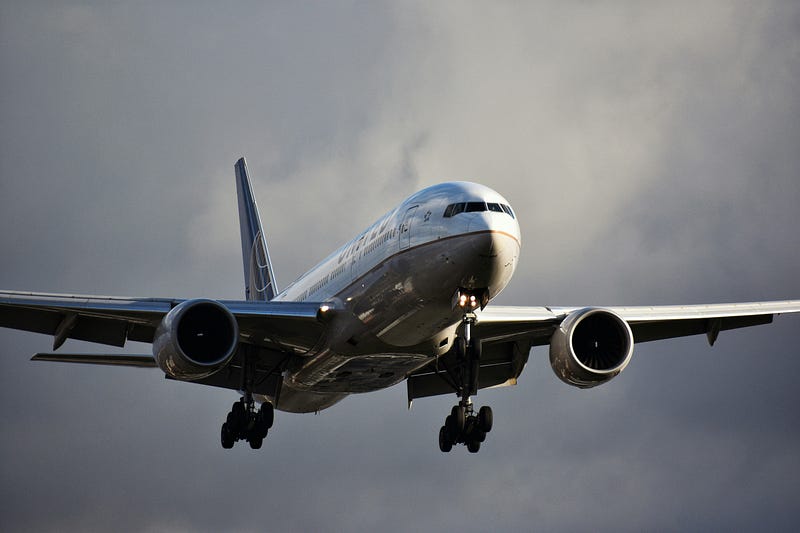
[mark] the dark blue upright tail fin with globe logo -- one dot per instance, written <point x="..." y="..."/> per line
<point x="259" y="279"/>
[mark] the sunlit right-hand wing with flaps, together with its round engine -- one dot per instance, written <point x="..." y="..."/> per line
<point x="507" y="334"/>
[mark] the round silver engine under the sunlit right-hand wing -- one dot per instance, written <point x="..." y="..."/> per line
<point x="591" y="346"/>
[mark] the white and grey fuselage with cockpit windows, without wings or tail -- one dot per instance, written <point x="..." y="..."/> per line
<point x="396" y="282"/>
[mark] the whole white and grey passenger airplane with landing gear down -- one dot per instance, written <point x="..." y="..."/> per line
<point x="407" y="299"/>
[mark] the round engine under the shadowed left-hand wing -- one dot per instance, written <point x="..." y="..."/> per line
<point x="195" y="339"/>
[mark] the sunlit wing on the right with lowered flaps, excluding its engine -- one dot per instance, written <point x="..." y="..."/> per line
<point x="507" y="333"/>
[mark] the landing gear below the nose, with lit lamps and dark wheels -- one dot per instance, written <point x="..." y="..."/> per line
<point x="463" y="425"/>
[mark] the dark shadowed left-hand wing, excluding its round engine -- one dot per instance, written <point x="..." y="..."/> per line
<point x="114" y="320"/>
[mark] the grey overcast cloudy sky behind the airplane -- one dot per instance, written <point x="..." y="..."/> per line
<point x="651" y="151"/>
